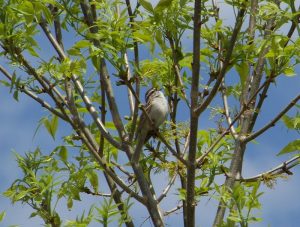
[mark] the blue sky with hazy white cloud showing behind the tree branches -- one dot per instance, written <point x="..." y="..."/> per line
<point x="280" y="205"/>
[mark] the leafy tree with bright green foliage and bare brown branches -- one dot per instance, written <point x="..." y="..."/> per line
<point x="82" y="84"/>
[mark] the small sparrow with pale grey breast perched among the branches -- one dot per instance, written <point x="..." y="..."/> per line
<point x="157" y="109"/>
